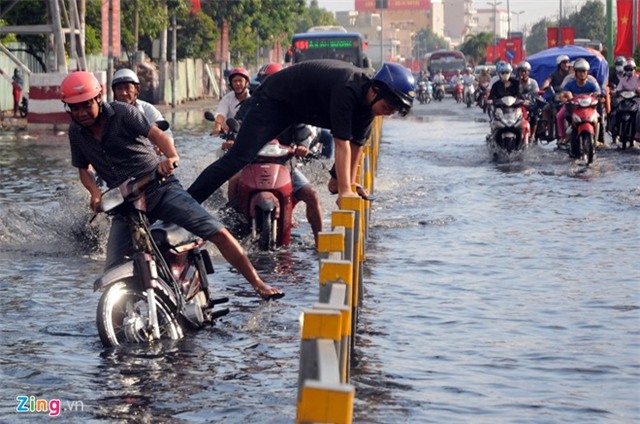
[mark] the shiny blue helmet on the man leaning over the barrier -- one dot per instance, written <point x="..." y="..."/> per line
<point x="396" y="83"/>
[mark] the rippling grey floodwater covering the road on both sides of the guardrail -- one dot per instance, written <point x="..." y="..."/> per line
<point x="494" y="292"/>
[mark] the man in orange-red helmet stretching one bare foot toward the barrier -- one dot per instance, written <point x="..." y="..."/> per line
<point x="111" y="138"/>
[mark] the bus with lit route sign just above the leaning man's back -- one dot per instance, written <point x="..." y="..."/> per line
<point x="332" y="43"/>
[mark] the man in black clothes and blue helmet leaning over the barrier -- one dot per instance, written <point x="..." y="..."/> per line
<point x="326" y="93"/>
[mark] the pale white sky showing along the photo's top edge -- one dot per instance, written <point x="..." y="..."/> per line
<point x="534" y="10"/>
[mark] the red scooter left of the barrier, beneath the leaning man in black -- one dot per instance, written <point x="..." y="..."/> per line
<point x="264" y="193"/>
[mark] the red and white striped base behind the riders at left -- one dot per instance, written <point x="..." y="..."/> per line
<point x="45" y="107"/>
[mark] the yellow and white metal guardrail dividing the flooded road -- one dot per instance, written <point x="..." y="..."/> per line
<point x="329" y="327"/>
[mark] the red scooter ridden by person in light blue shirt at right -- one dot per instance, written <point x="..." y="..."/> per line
<point x="584" y="124"/>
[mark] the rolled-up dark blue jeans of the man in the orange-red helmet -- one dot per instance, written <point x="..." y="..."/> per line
<point x="171" y="204"/>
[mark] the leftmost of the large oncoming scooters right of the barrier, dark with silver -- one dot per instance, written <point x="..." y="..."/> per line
<point x="507" y="128"/>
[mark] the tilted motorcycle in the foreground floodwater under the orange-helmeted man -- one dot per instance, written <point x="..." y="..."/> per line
<point x="163" y="289"/>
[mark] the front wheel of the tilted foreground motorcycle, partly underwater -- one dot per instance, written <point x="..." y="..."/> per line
<point x="123" y="315"/>
